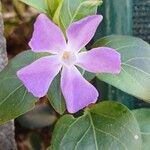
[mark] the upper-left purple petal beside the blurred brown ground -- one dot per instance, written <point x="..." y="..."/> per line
<point x="47" y="37"/>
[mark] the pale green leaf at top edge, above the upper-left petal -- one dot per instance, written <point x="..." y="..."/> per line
<point x="38" y="4"/>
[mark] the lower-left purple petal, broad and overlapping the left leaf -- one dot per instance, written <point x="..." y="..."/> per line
<point x="38" y="76"/>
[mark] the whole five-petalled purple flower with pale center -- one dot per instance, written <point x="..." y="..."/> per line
<point x="47" y="37"/>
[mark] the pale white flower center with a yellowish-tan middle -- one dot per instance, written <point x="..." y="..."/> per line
<point x="68" y="58"/>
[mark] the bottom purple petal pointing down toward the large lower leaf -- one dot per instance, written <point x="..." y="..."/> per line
<point x="77" y="92"/>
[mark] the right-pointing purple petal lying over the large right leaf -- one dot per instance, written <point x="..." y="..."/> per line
<point x="102" y="59"/>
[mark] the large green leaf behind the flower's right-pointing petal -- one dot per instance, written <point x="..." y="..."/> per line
<point x="135" y="74"/>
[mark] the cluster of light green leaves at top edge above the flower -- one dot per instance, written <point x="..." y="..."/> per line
<point x="64" y="12"/>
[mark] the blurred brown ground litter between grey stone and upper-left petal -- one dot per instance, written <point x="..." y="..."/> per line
<point x="18" y="19"/>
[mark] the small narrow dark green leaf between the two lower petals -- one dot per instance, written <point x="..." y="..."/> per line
<point x="55" y="96"/>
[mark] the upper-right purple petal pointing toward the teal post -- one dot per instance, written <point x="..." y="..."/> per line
<point x="81" y="32"/>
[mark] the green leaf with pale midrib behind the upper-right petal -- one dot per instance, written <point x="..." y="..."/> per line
<point x="73" y="10"/>
